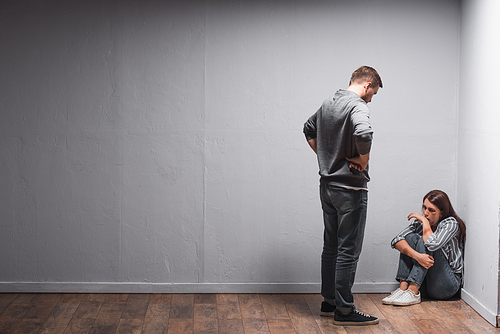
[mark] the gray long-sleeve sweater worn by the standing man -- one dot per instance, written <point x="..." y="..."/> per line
<point x="342" y="128"/>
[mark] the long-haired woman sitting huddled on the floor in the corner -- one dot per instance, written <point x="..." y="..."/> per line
<point x="431" y="253"/>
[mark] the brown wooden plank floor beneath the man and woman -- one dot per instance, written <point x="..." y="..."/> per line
<point x="222" y="313"/>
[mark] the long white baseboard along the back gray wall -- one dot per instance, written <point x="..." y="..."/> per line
<point x="108" y="287"/>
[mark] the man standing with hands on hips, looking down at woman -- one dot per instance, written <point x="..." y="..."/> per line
<point x="341" y="135"/>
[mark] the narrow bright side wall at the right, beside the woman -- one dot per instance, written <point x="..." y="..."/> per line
<point x="479" y="161"/>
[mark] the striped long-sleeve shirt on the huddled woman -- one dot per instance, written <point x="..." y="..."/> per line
<point x="445" y="238"/>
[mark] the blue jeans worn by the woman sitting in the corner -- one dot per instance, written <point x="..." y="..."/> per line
<point x="439" y="280"/>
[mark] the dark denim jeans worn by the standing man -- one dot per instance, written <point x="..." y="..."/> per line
<point x="344" y="216"/>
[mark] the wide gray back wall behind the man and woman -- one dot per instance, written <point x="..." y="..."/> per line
<point x="157" y="146"/>
